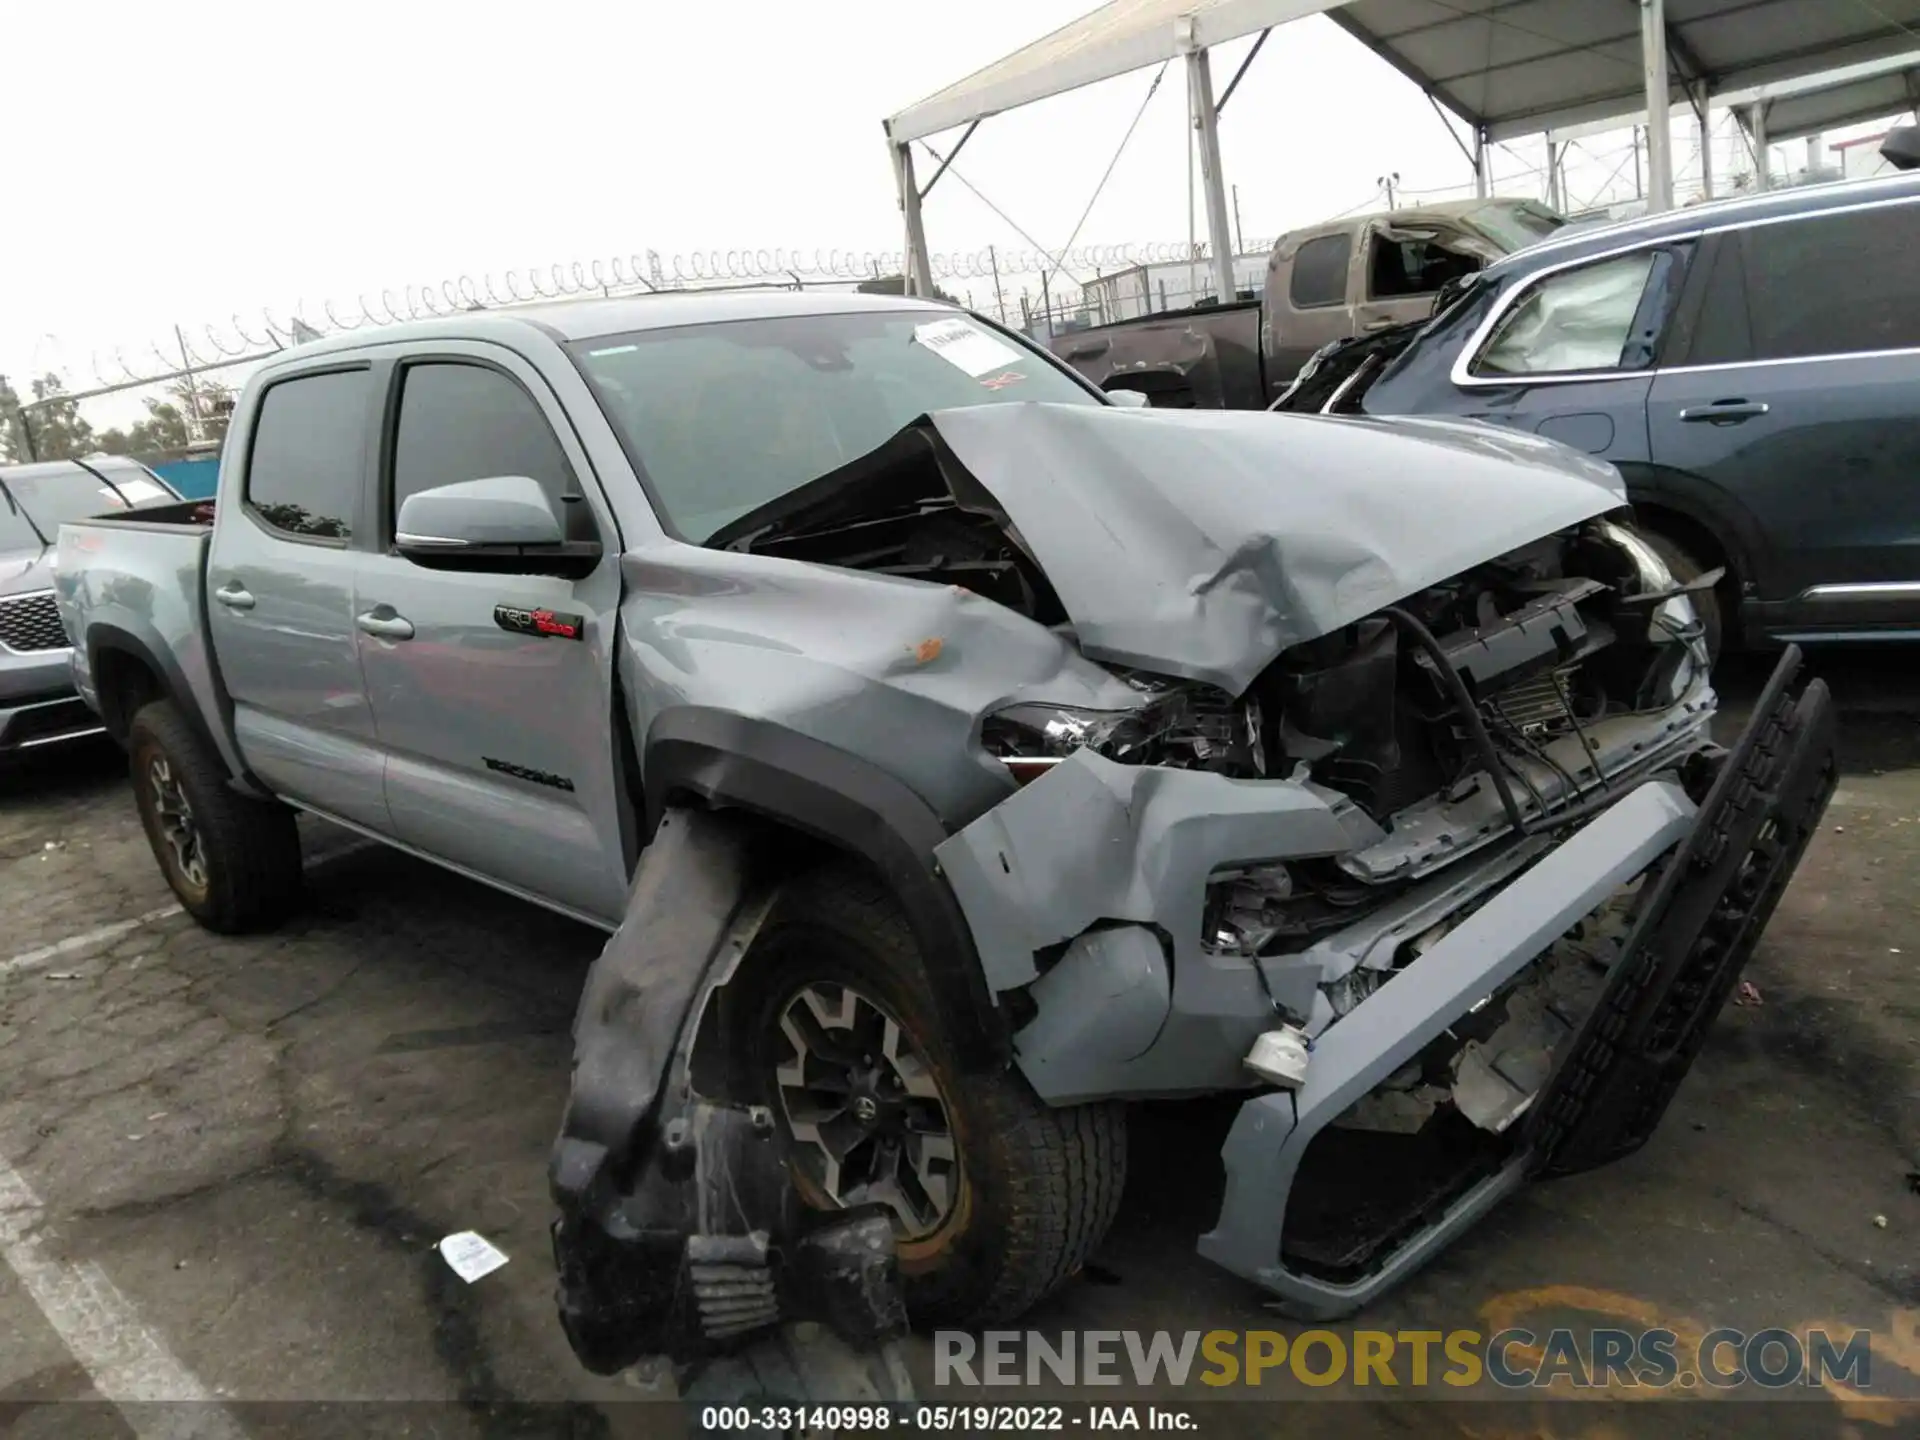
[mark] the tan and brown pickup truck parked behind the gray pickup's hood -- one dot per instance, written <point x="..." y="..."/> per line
<point x="1324" y="283"/>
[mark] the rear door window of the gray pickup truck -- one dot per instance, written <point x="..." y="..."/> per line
<point x="308" y="456"/>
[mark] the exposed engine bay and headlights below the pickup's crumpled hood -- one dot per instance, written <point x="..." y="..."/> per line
<point x="1548" y="640"/>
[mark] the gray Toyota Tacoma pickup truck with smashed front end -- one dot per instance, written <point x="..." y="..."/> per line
<point x="959" y="756"/>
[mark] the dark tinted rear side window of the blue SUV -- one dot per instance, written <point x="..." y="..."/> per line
<point x="1835" y="285"/>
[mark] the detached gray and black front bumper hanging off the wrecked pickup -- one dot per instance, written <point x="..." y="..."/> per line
<point x="1716" y="873"/>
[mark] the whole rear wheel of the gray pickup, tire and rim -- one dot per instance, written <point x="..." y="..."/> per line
<point x="231" y="861"/>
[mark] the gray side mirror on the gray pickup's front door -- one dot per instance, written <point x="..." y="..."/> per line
<point x="502" y="525"/>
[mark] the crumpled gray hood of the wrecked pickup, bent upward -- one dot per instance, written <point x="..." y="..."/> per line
<point x="1203" y="544"/>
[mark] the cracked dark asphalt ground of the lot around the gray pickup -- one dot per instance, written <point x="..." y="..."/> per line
<point x="226" y="1163"/>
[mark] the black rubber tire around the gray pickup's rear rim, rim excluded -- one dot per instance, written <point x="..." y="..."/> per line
<point x="254" y="873"/>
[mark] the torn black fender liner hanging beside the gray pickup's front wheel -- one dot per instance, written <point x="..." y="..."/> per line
<point x="679" y="1230"/>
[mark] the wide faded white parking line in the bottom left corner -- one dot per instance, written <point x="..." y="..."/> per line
<point x="130" y="1366"/>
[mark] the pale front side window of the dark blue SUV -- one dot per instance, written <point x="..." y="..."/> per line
<point x="1579" y="320"/>
